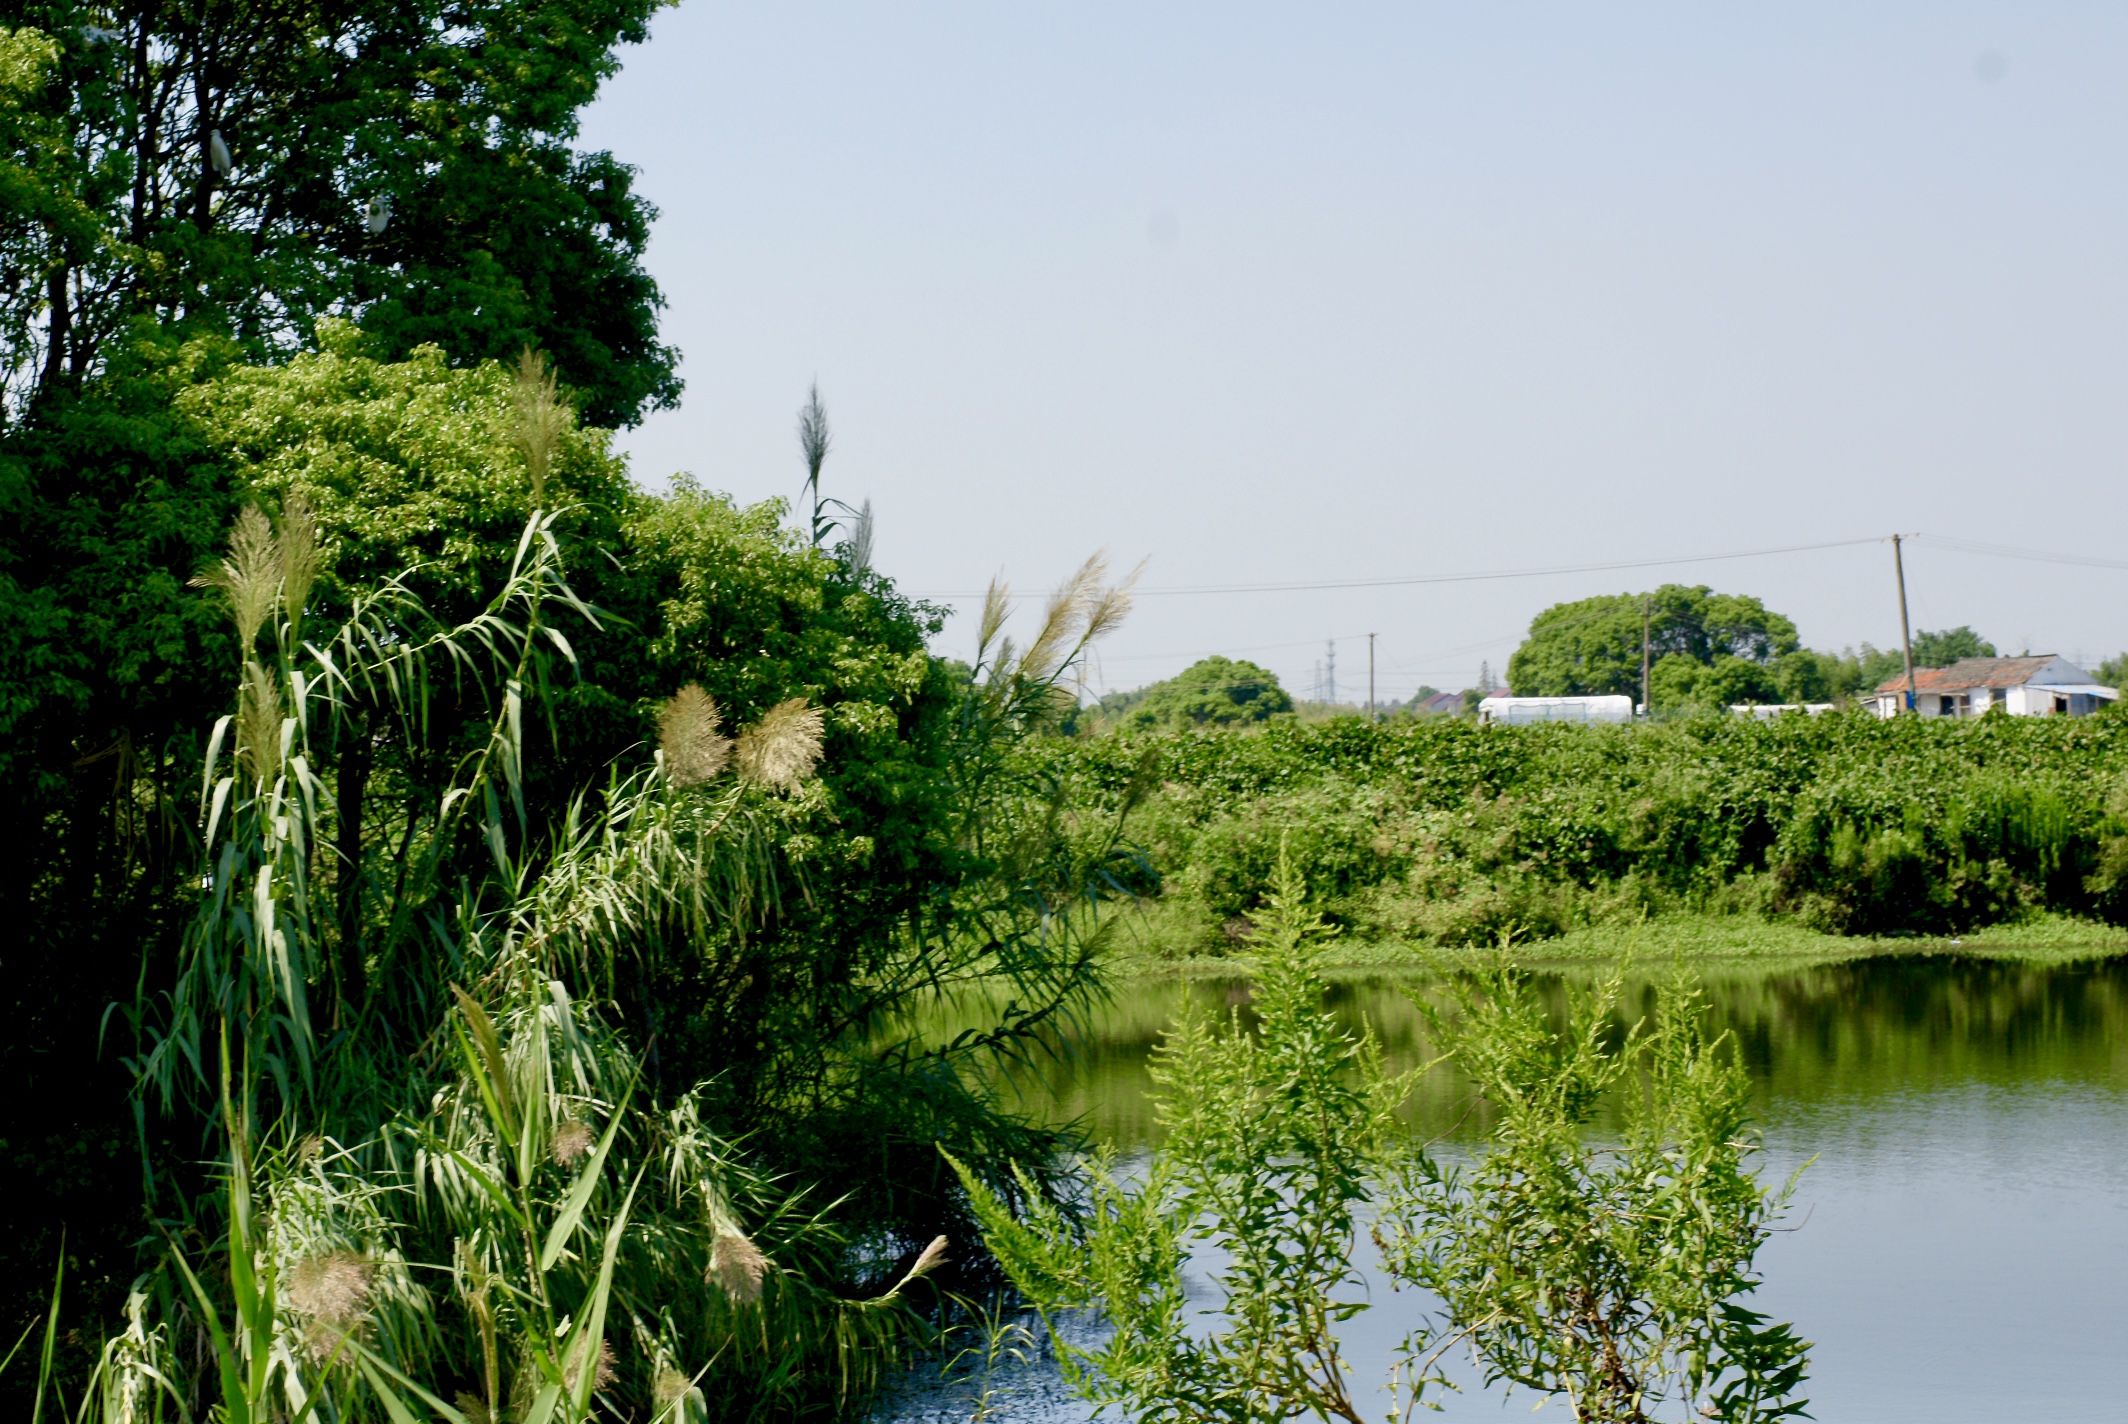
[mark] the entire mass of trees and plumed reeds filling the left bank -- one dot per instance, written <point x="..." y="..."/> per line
<point x="471" y="908"/>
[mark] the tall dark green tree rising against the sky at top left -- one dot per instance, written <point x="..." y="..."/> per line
<point x="248" y="169"/>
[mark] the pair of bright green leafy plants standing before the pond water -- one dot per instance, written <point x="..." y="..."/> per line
<point x="1610" y="1276"/>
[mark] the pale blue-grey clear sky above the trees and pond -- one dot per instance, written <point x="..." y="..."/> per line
<point x="1276" y="295"/>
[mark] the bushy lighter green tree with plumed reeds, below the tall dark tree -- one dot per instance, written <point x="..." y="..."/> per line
<point x="495" y="999"/>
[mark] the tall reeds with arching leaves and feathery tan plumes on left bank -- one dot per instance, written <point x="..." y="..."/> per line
<point x="416" y="1131"/>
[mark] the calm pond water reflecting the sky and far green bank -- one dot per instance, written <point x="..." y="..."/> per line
<point x="1961" y="1242"/>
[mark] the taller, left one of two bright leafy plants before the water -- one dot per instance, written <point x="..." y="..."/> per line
<point x="1274" y="1146"/>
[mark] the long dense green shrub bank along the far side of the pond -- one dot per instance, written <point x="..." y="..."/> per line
<point x="1452" y="833"/>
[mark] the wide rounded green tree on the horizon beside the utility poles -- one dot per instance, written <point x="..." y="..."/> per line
<point x="1595" y="646"/>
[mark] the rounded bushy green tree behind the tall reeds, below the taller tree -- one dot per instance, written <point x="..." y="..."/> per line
<point x="427" y="474"/>
